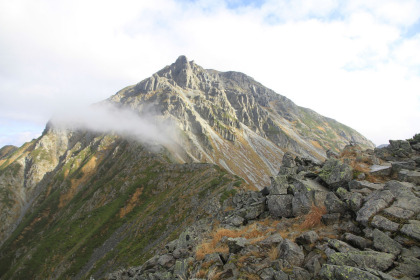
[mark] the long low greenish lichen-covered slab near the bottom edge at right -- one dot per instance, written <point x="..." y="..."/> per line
<point x="363" y="259"/>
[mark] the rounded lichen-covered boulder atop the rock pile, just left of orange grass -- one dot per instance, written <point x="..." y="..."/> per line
<point x="336" y="174"/>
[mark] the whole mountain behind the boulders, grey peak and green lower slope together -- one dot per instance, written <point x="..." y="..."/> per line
<point x="75" y="203"/>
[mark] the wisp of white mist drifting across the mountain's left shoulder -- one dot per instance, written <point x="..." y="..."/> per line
<point x="144" y="126"/>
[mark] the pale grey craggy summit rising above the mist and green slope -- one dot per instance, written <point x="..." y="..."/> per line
<point x="229" y="119"/>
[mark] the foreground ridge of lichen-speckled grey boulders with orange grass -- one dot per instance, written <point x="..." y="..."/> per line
<point x="343" y="219"/>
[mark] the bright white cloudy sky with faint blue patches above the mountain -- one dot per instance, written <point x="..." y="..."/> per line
<point x="354" y="61"/>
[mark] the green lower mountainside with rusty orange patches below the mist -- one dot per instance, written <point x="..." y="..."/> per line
<point x="106" y="201"/>
